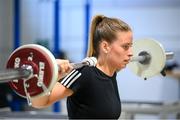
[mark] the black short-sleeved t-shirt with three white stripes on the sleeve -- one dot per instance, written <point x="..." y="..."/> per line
<point x="95" y="95"/>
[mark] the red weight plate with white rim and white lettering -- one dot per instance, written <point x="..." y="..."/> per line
<point x="43" y="64"/>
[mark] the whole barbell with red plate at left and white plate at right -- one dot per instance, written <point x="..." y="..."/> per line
<point x="32" y="71"/>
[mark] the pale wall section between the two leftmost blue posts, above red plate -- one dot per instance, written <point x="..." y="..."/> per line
<point x="36" y="21"/>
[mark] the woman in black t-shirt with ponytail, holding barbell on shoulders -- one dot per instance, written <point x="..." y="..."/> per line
<point x="92" y="92"/>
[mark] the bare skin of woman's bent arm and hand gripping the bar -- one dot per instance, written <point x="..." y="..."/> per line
<point x="58" y="92"/>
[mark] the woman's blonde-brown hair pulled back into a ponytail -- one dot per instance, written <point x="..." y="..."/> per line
<point x="104" y="28"/>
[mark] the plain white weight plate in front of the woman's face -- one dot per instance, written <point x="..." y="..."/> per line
<point x="157" y="62"/>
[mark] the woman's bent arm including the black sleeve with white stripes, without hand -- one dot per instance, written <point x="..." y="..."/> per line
<point x="68" y="86"/>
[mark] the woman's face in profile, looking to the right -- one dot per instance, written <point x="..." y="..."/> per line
<point x="120" y="50"/>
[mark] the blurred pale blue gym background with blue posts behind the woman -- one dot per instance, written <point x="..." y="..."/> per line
<point x="62" y="26"/>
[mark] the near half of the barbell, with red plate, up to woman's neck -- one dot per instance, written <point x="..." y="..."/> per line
<point x="32" y="71"/>
